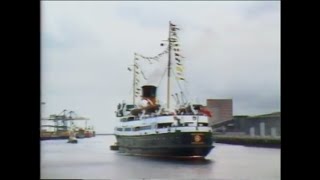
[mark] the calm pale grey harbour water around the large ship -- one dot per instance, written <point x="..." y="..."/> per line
<point x="92" y="159"/>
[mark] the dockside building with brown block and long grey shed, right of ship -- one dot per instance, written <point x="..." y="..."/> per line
<point x="224" y="121"/>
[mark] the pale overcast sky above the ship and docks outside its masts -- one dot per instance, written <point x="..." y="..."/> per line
<point x="231" y="50"/>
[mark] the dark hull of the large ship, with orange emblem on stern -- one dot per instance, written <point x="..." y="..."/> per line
<point x="181" y="144"/>
